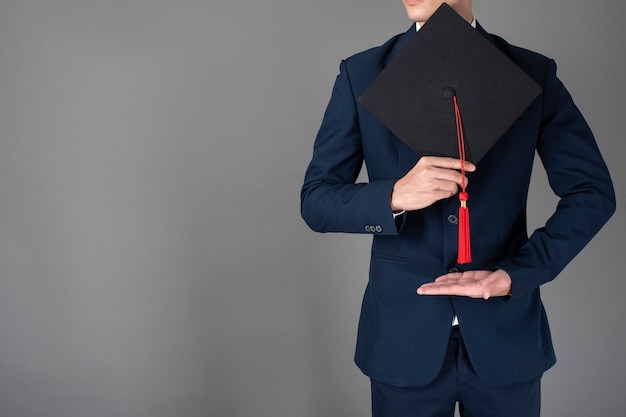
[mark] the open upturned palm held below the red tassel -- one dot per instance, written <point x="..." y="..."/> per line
<point x="474" y="284"/>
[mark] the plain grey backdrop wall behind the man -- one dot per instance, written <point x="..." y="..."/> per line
<point x="152" y="257"/>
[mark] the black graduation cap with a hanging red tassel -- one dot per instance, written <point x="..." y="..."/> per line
<point x="450" y="92"/>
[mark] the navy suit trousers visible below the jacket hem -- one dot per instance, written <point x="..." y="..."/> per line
<point x="457" y="382"/>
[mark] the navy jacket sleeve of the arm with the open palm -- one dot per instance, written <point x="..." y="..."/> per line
<point x="579" y="176"/>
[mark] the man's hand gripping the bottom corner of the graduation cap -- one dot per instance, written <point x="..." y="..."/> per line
<point x="433" y="178"/>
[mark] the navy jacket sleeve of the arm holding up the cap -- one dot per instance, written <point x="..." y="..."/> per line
<point x="331" y="201"/>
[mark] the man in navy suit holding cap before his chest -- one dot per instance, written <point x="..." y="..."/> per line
<point x="477" y="334"/>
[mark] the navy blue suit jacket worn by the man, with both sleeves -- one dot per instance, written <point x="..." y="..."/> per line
<point x="402" y="337"/>
